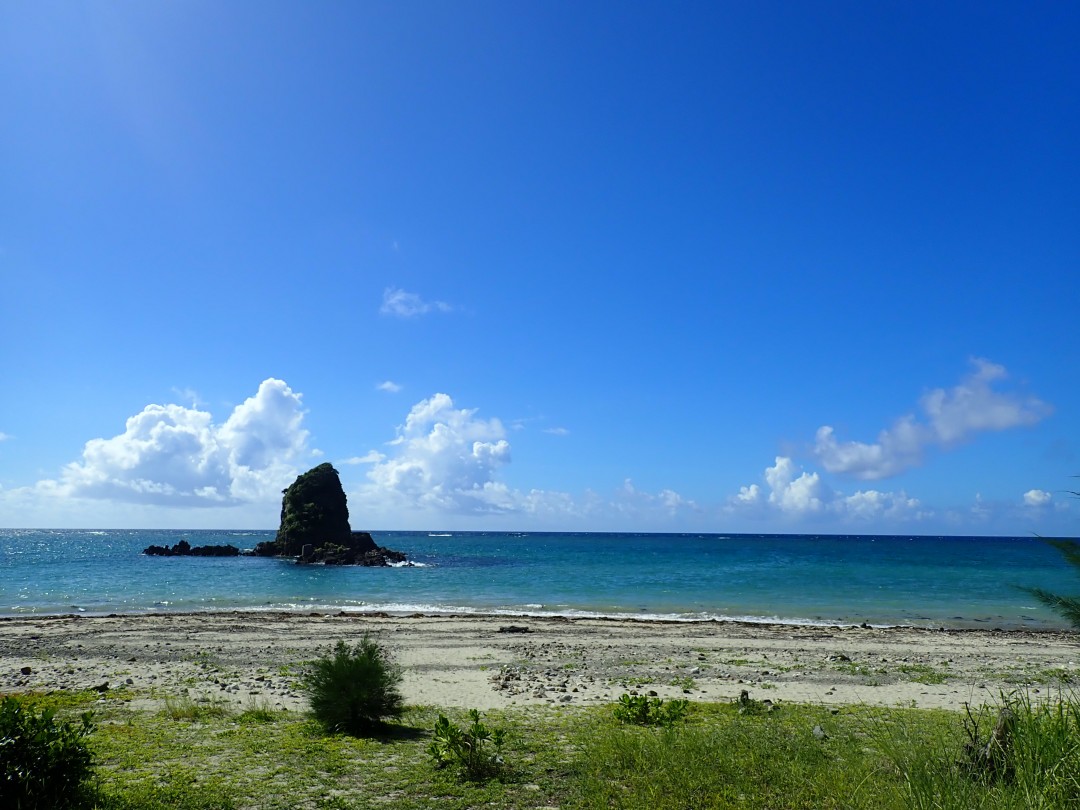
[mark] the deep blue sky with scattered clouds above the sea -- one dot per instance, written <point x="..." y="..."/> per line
<point x="721" y="267"/>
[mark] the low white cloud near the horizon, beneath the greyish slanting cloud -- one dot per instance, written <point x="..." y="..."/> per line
<point x="799" y="494"/>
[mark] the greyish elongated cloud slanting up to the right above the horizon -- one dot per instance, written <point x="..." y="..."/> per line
<point x="973" y="407"/>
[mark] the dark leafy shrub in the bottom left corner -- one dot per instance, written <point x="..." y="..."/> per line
<point x="45" y="763"/>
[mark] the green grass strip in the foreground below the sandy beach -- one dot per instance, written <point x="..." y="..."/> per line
<point x="259" y="759"/>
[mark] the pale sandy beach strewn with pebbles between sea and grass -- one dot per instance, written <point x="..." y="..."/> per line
<point x="254" y="659"/>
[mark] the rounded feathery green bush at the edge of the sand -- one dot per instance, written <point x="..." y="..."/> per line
<point x="355" y="688"/>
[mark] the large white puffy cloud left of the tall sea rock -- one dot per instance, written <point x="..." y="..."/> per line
<point x="171" y="455"/>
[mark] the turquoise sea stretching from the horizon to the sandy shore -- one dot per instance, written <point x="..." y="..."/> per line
<point x="924" y="582"/>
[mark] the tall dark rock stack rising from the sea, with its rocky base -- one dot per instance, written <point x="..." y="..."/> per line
<point x="315" y="525"/>
